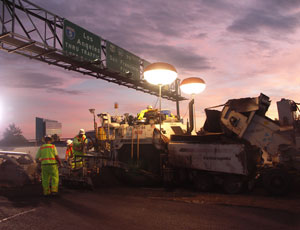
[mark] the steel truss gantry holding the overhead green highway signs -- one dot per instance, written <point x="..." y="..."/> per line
<point x="34" y="32"/>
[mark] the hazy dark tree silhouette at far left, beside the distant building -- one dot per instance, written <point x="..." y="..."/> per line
<point x="13" y="136"/>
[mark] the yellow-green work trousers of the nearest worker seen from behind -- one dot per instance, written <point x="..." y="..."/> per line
<point x="50" y="175"/>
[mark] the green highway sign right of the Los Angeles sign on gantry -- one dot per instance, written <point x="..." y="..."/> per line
<point x="122" y="61"/>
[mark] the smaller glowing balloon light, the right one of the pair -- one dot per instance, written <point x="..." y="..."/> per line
<point x="192" y="85"/>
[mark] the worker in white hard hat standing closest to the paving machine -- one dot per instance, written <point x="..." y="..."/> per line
<point x="79" y="148"/>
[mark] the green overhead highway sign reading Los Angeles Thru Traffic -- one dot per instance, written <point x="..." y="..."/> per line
<point x="80" y="43"/>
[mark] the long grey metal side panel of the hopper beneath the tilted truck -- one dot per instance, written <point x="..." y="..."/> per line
<point x="225" y="158"/>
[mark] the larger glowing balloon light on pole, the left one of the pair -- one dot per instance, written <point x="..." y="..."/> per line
<point x="160" y="73"/>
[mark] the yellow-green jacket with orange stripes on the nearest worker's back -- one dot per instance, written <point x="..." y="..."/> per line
<point x="46" y="154"/>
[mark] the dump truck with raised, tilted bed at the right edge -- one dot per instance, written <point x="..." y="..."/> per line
<point x="279" y="140"/>
